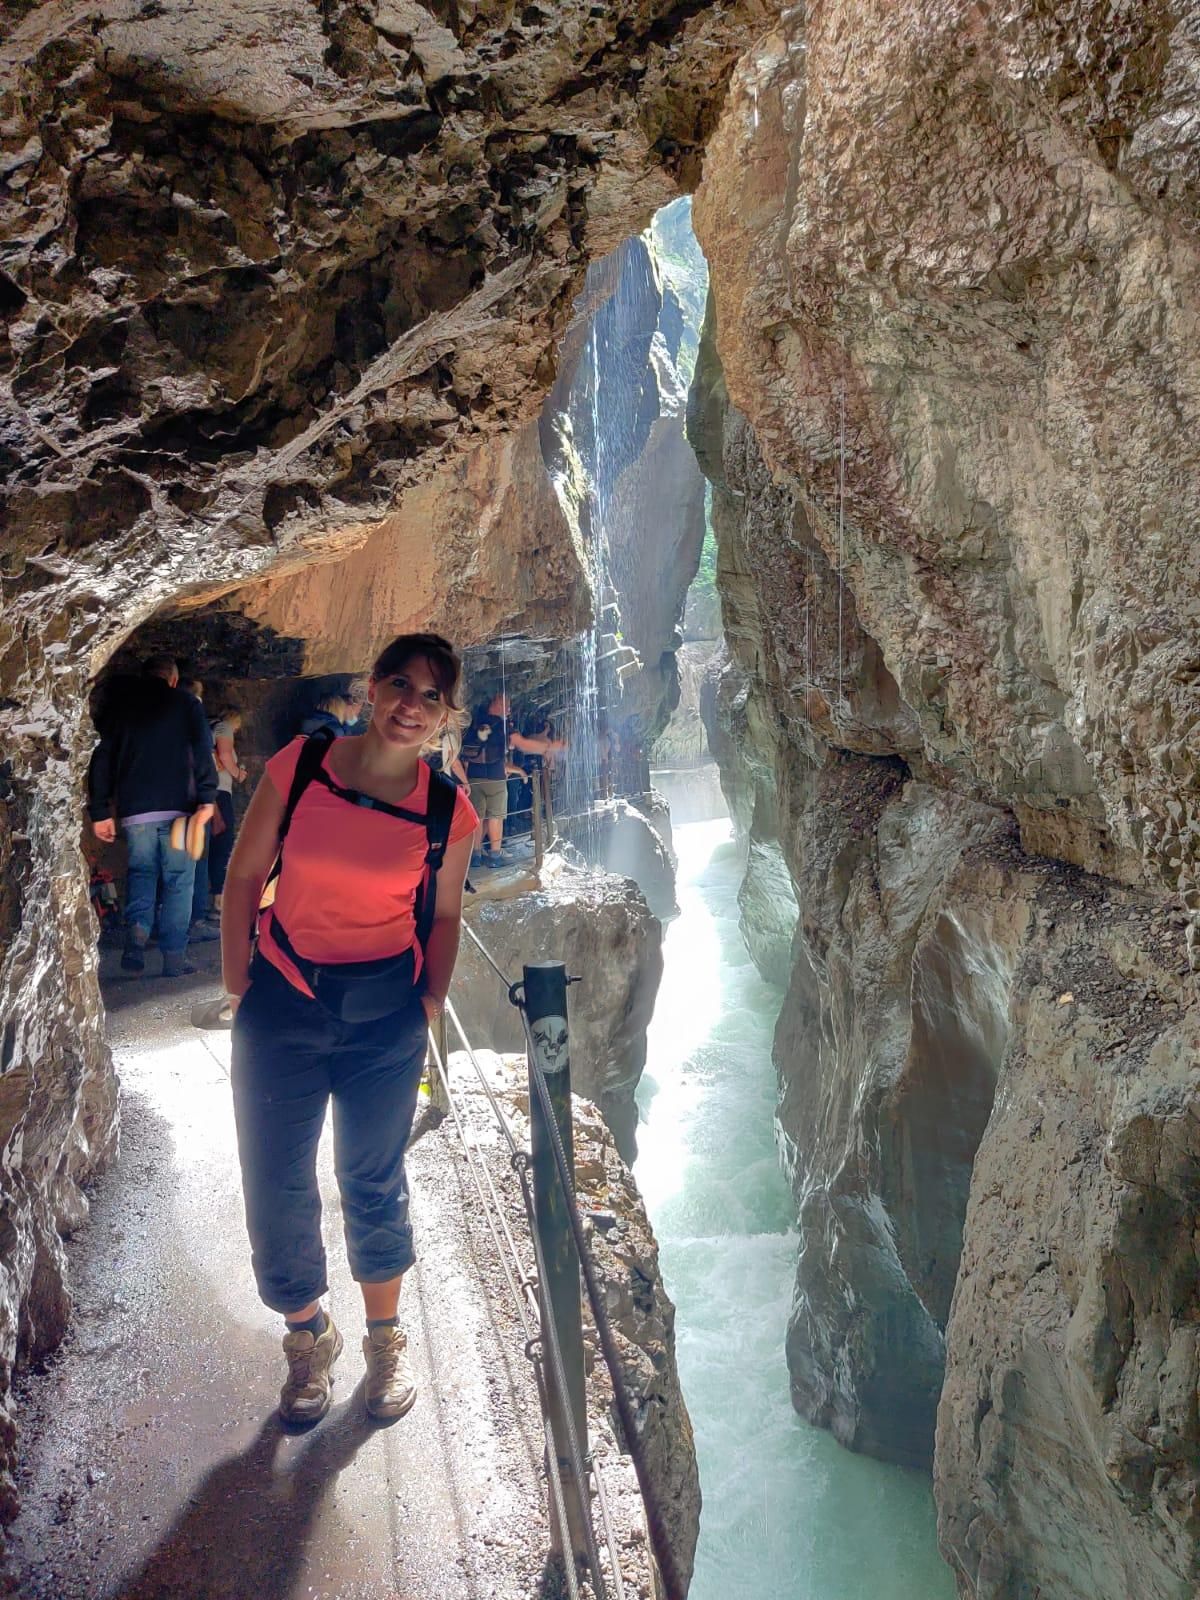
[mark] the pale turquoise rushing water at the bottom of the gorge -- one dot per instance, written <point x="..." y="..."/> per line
<point x="788" y="1514"/>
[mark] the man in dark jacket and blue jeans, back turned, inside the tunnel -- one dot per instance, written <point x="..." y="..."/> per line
<point x="153" y="766"/>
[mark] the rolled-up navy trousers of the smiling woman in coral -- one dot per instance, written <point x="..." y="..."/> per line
<point x="290" y="1060"/>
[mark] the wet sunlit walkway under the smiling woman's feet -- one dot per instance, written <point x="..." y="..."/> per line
<point x="154" y="1462"/>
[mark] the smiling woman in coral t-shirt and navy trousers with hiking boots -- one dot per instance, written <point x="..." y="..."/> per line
<point x="343" y="926"/>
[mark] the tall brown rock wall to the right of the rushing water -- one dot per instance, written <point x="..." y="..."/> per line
<point x="953" y="447"/>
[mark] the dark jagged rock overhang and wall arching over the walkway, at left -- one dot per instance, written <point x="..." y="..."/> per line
<point x="263" y="271"/>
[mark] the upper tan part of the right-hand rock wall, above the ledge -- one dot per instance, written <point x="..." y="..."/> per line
<point x="977" y="314"/>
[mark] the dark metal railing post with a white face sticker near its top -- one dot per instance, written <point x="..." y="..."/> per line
<point x="561" y="1294"/>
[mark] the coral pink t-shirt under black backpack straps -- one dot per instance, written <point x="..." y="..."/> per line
<point x="350" y="881"/>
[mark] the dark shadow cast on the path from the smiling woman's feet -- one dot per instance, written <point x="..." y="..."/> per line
<point x="247" y="1526"/>
